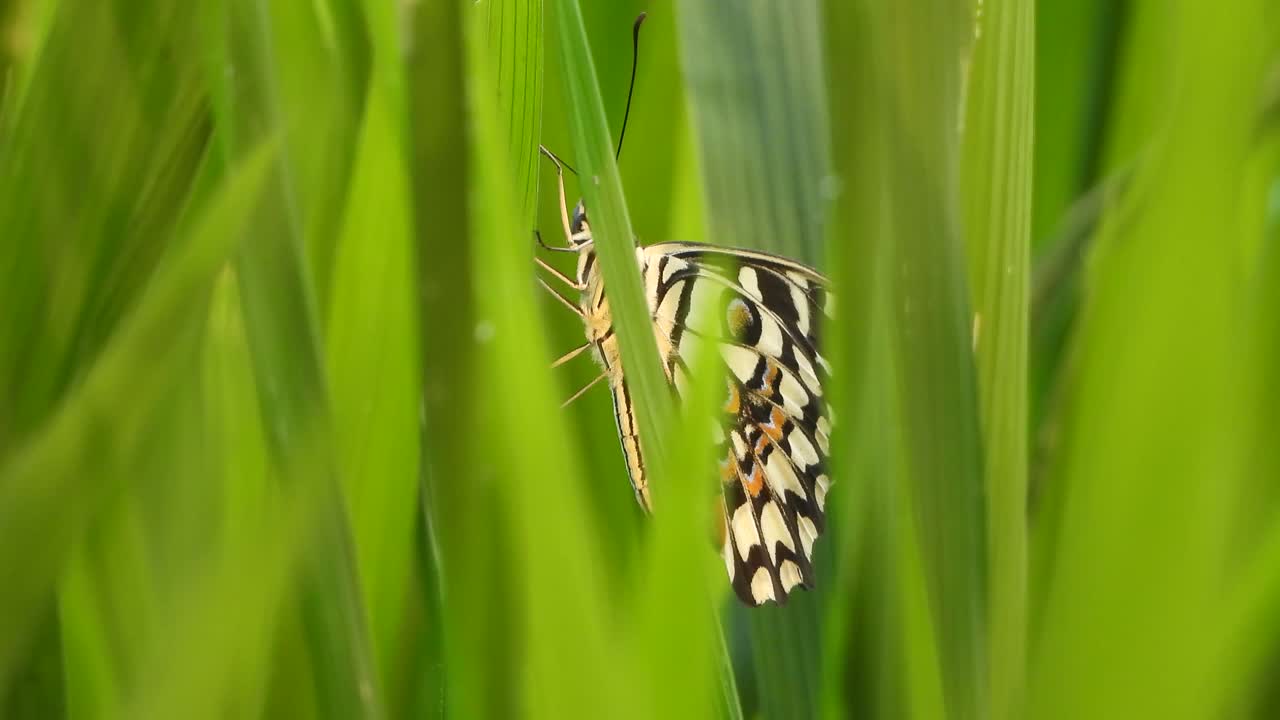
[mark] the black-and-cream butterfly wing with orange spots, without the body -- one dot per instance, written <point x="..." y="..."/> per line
<point x="764" y="315"/>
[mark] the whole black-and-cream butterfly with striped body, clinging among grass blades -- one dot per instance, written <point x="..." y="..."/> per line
<point x="765" y="313"/>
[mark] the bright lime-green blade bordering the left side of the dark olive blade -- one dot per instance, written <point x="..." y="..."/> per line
<point x="373" y="362"/>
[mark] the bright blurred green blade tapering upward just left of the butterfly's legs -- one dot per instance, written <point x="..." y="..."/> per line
<point x="551" y="559"/>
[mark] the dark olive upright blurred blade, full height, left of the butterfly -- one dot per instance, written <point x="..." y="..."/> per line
<point x="458" y="509"/>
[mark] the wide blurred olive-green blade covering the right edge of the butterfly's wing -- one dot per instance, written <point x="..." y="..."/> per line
<point x="868" y="639"/>
